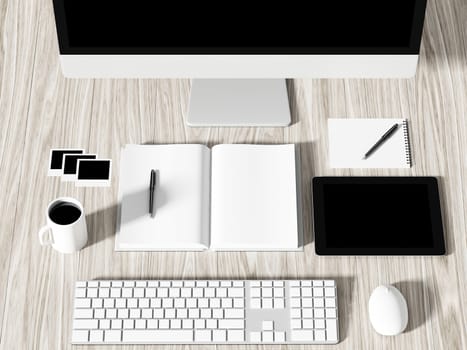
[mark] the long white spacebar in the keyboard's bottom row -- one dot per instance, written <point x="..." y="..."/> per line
<point x="142" y="336"/>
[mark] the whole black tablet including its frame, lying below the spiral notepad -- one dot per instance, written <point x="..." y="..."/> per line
<point x="377" y="216"/>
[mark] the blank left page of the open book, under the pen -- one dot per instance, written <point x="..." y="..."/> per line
<point x="181" y="221"/>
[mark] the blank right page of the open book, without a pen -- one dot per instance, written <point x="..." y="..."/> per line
<point x="254" y="198"/>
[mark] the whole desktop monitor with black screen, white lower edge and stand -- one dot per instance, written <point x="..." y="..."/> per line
<point x="239" y="52"/>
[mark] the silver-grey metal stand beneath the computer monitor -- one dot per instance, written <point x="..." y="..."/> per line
<point x="239" y="102"/>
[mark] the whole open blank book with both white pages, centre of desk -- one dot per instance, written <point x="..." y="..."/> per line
<point x="235" y="197"/>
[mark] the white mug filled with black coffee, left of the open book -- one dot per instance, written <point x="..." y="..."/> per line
<point x="66" y="229"/>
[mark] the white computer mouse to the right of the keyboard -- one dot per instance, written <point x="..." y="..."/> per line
<point x="388" y="310"/>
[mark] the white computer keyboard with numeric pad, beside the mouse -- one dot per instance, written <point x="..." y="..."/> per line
<point x="205" y="312"/>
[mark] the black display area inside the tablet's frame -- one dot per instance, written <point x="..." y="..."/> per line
<point x="377" y="216"/>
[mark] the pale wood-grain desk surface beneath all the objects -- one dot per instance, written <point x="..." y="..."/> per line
<point x="39" y="109"/>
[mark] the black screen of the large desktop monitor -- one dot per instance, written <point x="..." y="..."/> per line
<point x="268" y="27"/>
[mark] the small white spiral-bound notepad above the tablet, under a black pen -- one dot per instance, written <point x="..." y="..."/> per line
<point x="350" y="139"/>
